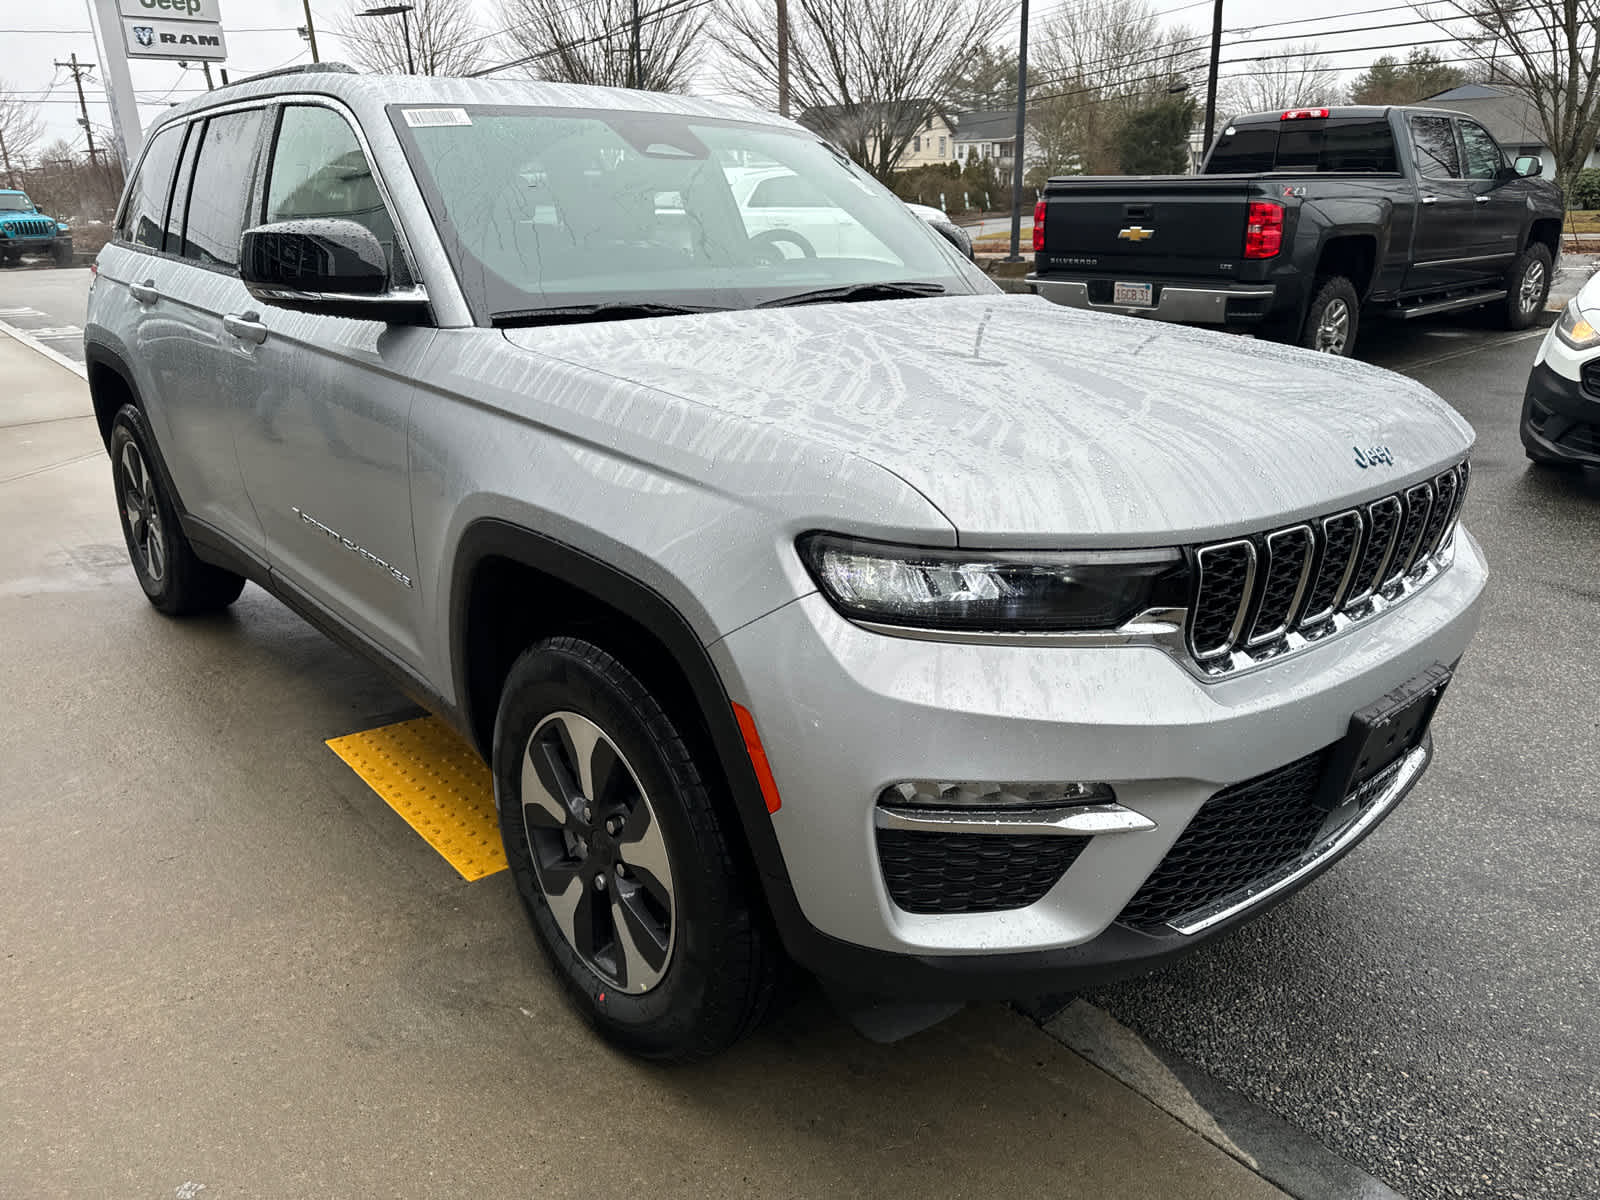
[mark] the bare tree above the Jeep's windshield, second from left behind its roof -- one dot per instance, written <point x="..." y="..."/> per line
<point x="614" y="44"/>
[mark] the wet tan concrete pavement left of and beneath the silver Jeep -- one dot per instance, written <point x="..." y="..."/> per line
<point x="230" y="966"/>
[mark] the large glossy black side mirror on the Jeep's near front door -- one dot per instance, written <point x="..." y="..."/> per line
<point x="327" y="266"/>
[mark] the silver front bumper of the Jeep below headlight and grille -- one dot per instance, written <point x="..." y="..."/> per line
<point x="846" y="713"/>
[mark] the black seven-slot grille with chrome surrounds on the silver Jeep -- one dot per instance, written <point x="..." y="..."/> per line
<point x="1279" y="591"/>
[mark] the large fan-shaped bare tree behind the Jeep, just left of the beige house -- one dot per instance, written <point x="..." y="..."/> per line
<point x="866" y="74"/>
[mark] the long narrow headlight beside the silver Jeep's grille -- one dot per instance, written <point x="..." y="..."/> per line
<point x="1006" y="591"/>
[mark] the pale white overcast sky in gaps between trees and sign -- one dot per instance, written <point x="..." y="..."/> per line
<point x="262" y="36"/>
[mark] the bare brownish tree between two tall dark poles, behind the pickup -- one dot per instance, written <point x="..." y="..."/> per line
<point x="1098" y="65"/>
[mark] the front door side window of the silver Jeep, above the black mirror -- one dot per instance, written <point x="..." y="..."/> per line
<point x="319" y="170"/>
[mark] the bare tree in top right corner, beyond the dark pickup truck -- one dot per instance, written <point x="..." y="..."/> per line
<point x="1550" y="52"/>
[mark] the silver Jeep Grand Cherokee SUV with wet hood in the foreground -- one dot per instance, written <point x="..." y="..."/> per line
<point x="809" y="598"/>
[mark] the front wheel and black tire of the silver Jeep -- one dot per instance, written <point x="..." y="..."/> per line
<point x="721" y="967"/>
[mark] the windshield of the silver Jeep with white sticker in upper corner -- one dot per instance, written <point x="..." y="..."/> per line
<point x="546" y="209"/>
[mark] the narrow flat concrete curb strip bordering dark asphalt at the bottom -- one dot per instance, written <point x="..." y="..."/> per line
<point x="1260" y="1140"/>
